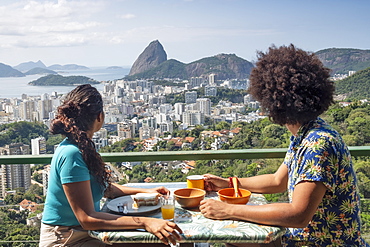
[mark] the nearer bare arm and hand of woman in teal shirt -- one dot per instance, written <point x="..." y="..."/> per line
<point x="81" y="201"/>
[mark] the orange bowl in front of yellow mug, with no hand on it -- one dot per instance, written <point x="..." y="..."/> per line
<point x="189" y="197"/>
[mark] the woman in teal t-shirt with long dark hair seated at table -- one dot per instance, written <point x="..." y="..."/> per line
<point x="78" y="180"/>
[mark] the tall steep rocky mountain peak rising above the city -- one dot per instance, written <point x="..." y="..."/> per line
<point x="152" y="56"/>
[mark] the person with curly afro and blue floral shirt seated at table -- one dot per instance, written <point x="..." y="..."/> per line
<point x="294" y="88"/>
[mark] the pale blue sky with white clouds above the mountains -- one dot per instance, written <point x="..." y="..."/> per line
<point x="98" y="33"/>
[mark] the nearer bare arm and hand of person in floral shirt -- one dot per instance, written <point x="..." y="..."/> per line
<point x="306" y="198"/>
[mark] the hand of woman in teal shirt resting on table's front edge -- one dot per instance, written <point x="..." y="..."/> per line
<point x="166" y="231"/>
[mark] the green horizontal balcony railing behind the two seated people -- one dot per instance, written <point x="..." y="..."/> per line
<point x="176" y="155"/>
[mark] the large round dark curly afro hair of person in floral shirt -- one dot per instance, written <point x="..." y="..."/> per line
<point x="292" y="85"/>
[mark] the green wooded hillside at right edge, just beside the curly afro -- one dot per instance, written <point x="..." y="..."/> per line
<point x="356" y="86"/>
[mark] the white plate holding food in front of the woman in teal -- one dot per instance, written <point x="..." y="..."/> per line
<point x="128" y="200"/>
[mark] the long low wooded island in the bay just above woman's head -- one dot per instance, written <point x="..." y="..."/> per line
<point x="58" y="80"/>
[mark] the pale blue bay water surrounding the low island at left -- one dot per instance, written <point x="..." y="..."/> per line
<point x="14" y="87"/>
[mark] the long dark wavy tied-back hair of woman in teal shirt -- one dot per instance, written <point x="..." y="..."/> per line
<point x="75" y="116"/>
